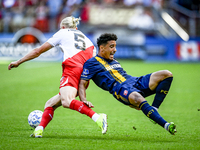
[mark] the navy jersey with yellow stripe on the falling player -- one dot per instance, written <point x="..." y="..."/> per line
<point x="104" y="73"/>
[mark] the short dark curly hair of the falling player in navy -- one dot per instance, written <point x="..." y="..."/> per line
<point x="104" y="38"/>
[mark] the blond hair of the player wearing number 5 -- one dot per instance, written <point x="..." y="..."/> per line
<point x="70" y="22"/>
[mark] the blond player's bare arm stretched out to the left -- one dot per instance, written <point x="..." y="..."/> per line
<point x="31" y="55"/>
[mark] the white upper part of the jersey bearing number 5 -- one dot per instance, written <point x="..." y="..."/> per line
<point x="71" y="42"/>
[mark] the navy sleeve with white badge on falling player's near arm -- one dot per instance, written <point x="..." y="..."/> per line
<point x="88" y="70"/>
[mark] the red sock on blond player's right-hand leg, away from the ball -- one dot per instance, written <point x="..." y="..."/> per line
<point x="82" y="108"/>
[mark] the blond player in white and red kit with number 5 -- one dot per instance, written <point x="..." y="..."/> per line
<point x="77" y="48"/>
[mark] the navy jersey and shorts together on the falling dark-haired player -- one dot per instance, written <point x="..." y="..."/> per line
<point x="110" y="76"/>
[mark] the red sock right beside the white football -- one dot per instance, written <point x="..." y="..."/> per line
<point x="47" y="116"/>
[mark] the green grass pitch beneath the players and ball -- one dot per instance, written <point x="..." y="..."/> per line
<point x="28" y="87"/>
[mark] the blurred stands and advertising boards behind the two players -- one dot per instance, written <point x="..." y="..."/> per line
<point x="161" y="30"/>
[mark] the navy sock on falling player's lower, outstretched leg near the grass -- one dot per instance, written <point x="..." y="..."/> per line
<point x="150" y="112"/>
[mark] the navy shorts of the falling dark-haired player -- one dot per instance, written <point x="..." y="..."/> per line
<point x="133" y="84"/>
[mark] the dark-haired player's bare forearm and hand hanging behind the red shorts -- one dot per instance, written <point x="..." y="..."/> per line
<point x="82" y="93"/>
